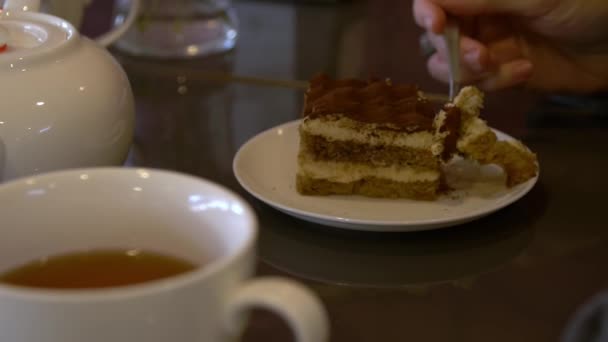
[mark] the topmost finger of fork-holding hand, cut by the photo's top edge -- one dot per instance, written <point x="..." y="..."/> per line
<point x="477" y="7"/>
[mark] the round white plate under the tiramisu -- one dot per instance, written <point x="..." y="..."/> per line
<point x="266" y="167"/>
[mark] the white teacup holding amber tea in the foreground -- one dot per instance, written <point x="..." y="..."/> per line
<point x="153" y="210"/>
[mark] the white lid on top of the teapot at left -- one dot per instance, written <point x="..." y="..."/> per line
<point x="26" y="35"/>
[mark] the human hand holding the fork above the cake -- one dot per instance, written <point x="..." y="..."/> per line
<point x="549" y="45"/>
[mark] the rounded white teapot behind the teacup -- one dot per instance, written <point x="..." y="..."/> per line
<point x="64" y="100"/>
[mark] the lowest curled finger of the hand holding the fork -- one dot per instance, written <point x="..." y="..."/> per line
<point x="508" y="75"/>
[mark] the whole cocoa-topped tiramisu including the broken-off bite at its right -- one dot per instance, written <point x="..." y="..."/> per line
<point x="379" y="139"/>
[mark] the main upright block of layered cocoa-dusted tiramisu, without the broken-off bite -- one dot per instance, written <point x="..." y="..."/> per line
<point x="370" y="138"/>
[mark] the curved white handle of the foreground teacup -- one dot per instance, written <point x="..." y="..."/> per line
<point x="302" y="310"/>
